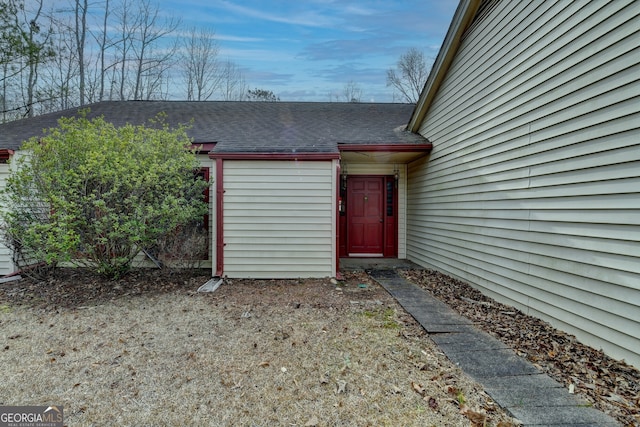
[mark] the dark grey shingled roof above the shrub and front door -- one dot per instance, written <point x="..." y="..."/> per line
<point x="248" y="127"/>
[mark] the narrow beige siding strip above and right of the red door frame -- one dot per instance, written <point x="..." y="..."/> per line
<point x="389" y="169"/>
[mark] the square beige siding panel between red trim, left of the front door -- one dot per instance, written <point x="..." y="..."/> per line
<point x="279" y="218"/>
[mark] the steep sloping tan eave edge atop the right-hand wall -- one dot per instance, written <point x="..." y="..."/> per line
<point x="461" y="20"/>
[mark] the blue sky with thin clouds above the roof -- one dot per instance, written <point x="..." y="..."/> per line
<point x="307" y="50"/>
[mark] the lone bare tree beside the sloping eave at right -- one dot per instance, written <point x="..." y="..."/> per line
<point x="410" y="75"/>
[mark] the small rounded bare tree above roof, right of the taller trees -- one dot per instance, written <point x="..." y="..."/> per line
<point x="201" y="72"/>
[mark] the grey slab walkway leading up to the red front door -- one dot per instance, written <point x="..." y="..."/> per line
<point x="516" y="385"/>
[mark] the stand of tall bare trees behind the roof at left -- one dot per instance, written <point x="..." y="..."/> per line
<point x="105" y="49"/>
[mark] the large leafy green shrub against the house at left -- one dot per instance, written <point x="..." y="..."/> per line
<point x="92" y="194"/>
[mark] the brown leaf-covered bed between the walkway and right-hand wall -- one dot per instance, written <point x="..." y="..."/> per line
<point x="611" y="385"/>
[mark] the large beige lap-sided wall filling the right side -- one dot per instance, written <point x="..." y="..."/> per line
<point x="531" y="192"/>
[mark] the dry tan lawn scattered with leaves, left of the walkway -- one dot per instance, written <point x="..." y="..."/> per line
<point x="252" y="353"/>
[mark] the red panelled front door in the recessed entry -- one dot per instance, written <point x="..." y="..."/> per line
<point x="365" y="215"/>
